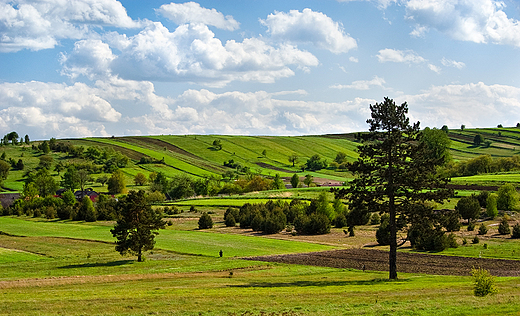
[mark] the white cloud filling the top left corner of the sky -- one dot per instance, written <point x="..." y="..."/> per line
<point x="37" y="25"/>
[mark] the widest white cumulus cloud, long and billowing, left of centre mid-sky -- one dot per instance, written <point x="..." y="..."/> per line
<point x="190" y="53"/>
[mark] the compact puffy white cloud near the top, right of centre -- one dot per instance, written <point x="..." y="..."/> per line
<point x="309" y="27"/>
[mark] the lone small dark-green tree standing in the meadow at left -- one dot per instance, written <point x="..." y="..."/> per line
<point x="137" y="228"/>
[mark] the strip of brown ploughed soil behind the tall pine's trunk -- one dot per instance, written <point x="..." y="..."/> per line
<point x="406" y="262"/>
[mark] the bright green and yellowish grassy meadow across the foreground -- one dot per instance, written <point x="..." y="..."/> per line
<point x="44" y="274"/>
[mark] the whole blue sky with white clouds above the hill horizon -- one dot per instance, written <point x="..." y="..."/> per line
<point x="78" y="68"/>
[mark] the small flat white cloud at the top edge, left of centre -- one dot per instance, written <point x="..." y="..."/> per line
<point x="191" y="12"/>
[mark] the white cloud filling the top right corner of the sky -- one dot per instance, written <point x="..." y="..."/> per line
<point x="479" y="21"/>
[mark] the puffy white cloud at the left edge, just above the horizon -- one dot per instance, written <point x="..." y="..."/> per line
<point x="55" y="108"/>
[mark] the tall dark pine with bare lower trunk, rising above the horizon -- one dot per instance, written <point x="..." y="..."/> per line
<point x="394" y="171"/>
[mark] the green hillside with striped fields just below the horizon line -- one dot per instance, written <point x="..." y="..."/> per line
<point x="196" y="156"/>
